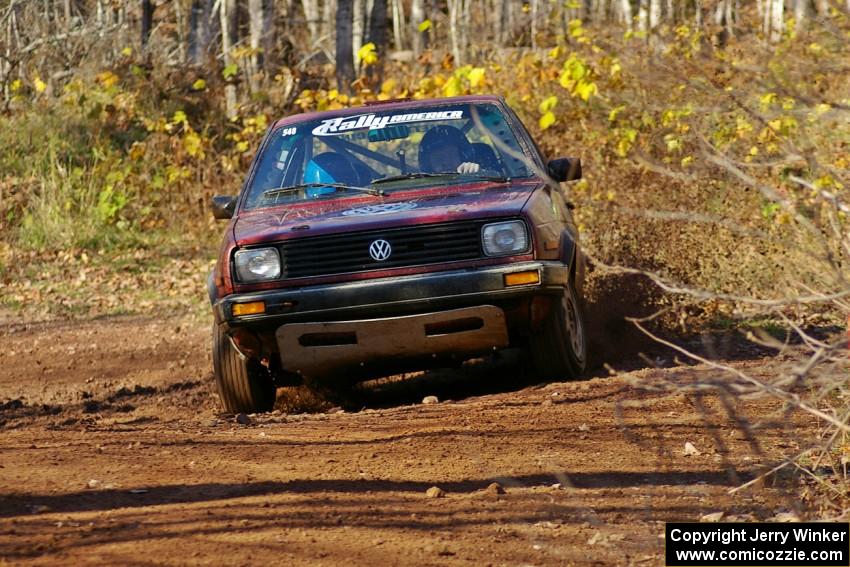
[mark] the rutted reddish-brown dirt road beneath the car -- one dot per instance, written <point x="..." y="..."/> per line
<point x="113" y="452"/>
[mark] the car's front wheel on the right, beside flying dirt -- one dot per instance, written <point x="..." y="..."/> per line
<point x="559" y="347"/>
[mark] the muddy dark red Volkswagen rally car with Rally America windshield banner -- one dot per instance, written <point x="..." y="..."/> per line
<point x="392" y="237"/>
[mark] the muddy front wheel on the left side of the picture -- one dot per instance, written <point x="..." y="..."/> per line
<point x="244" y="385"/>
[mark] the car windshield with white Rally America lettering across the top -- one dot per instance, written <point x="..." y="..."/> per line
<point x="381" y="151"/>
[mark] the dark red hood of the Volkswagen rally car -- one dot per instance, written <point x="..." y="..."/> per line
<point x="366" y="212"/>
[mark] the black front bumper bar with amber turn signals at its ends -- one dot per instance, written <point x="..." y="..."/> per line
<point x="391" y="296"/>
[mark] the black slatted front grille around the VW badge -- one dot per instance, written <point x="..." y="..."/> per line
<point x="411" y="246"/>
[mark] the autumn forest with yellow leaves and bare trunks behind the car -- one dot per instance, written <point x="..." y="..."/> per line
<point x="717" y="131"/>
